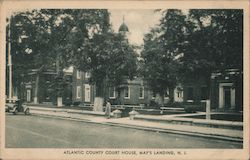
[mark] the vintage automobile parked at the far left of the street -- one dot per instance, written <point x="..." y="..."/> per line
<point x="16" y="107"/>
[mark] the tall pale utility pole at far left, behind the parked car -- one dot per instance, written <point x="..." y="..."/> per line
<point x="10" y="64"/>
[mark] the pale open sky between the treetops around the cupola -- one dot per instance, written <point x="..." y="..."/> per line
<point x="139" y="22"/>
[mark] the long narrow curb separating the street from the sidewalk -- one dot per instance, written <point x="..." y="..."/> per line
<point x="152" y="129"/>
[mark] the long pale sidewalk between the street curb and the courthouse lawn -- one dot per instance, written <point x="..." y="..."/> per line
<point x="143" y="123"/>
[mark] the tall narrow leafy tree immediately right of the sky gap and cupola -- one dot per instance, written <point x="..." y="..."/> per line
<point x="161" y="52"/>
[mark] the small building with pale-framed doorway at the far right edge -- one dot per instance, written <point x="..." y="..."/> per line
<point x="227" y="90"/>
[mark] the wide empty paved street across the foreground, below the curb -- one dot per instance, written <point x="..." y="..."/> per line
<point x="43" y="132"/>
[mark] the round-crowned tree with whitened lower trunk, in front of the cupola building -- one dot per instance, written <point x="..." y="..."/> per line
<point x="110" y="59"/>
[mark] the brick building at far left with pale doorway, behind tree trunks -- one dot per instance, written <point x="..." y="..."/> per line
<point x="47" y="90"/>
